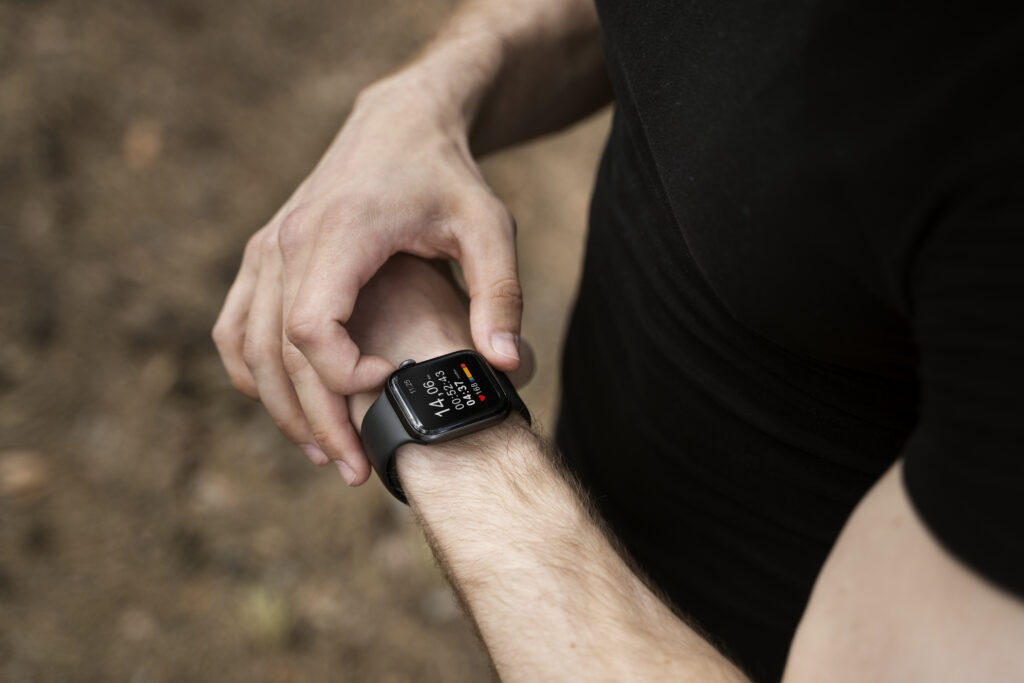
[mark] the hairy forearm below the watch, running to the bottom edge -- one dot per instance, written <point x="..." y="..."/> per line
<point x="552" y="599"/>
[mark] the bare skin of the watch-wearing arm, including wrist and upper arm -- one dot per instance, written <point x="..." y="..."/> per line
<point x="554" y="600"/>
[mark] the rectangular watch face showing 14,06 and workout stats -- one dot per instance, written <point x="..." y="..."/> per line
<point x="448" y="394"/>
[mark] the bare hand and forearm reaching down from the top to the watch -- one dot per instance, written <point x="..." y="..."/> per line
<point x="394" y="183"/>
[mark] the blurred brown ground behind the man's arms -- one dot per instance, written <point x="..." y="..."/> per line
<point x="155" y="526"/>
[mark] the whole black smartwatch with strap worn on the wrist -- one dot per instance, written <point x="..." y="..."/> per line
<point x="432" y="402"/>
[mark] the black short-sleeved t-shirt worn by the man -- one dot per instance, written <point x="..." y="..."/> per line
<point x="806" y="261"/>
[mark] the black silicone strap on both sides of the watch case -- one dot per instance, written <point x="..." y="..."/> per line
<point x="383" y="433"/>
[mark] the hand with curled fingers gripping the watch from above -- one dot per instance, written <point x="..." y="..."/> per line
<point x="399" y="178"/>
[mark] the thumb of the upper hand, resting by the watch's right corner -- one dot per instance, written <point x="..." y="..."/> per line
<point x="489" y="265"/>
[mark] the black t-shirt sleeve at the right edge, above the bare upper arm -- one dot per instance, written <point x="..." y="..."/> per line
<point x="964" y="463"/>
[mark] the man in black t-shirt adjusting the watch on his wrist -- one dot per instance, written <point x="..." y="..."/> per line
<point x="794" y="362"/>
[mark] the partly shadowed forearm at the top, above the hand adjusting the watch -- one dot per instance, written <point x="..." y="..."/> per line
<point x="506" y="72"/>
